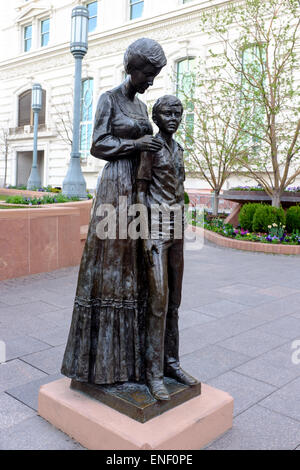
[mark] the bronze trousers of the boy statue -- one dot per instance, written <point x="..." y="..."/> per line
<point x="164" y="285"/>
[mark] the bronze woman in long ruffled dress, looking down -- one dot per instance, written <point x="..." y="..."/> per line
<point x="106" y="339"/>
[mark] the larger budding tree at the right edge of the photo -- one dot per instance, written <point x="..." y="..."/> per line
<point x="260" y="60"/>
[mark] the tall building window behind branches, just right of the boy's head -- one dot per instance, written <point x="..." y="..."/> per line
<point x="184" y="90"/>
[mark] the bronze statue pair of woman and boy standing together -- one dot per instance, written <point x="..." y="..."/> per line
<point x="125" y="320"/>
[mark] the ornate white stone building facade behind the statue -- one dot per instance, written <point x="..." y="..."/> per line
<point x="35" y="40"/>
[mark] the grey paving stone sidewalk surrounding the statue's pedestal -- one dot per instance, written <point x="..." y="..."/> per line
<point x="240" y="316"/>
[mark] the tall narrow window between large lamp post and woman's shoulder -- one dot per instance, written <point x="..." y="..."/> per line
<point x="86" y="124"/>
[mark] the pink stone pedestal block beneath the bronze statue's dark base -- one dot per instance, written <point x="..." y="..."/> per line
<point x="189" y="426"/>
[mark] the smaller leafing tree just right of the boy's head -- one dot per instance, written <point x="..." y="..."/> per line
<point x="209" y="130"/>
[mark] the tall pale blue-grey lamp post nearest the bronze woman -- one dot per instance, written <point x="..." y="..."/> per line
<point x="74" y="183"/>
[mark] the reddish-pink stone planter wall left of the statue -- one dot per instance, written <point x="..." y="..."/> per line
<point x="42" y="239"/>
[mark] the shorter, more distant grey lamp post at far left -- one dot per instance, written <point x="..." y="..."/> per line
<point x="34" y="180"/>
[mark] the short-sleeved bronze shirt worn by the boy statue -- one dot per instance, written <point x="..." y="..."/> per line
<point x="165" y="172"/>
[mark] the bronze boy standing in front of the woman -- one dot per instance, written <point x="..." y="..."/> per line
<point x="160" y="180"/>
